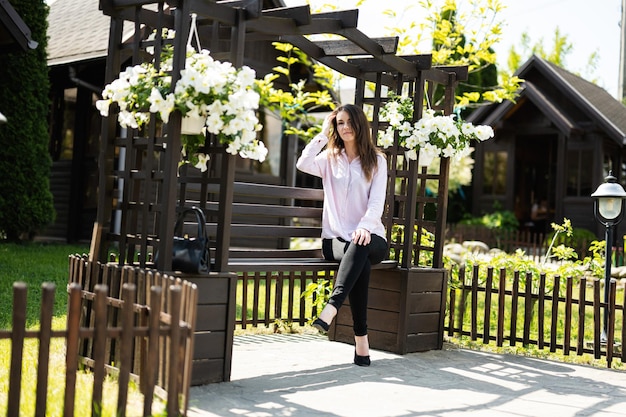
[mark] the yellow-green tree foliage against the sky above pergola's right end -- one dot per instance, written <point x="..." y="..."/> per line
<point x="459" y="35"/>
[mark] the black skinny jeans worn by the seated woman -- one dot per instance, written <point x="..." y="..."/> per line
<point x="353" y="275"/>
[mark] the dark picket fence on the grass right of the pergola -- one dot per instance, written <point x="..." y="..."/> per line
<point x="566" y="315"/>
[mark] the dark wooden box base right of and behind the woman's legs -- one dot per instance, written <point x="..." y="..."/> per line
<point x="406" y="309"/>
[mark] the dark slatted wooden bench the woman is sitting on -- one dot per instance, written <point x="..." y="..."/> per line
<point x="273" y="227"/>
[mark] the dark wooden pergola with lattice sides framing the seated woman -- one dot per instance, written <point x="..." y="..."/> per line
<point x="140" y="185"/>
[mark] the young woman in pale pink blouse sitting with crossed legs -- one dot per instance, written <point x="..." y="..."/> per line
<point x="354" y="177"/>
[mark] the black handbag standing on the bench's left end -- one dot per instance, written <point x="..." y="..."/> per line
<point x="191" y="254"/>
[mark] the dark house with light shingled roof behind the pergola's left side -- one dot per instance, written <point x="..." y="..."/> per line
<point x="78" y="45"/>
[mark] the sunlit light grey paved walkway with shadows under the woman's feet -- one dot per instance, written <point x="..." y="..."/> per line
<point x="307" y="375"/>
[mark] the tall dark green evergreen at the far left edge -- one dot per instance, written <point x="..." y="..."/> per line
<point x="26" y="203"/>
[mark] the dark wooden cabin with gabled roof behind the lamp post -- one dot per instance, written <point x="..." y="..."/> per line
<point x="555" y="144"/>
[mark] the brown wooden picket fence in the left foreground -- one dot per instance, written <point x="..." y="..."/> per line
<point x="121" y="321"/>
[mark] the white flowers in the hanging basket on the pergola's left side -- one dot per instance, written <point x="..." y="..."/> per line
<point x="217" y="95"/>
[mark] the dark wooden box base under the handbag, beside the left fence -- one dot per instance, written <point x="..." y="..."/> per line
<point x="215" y="326"/>
